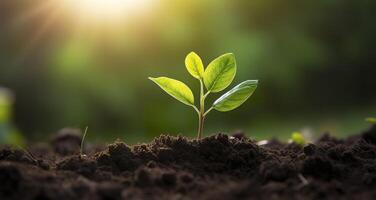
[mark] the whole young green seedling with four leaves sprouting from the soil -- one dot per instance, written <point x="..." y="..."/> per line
<point x="217" y="76"/>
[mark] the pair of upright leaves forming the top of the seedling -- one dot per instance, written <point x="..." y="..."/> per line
<point x="219" y="73"/>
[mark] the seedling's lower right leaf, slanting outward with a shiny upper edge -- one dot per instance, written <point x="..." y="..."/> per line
<point x="236" y="96"/>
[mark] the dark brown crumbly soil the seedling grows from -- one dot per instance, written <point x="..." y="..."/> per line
<point x="216" y="167"/>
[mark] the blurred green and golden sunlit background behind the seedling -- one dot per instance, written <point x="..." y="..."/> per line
<point x="86" y="63"/>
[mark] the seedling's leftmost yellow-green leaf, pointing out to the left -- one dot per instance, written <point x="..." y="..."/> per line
<point x="176" y="89"/>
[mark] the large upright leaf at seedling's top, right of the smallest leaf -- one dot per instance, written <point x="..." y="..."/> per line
<point x="220" y="73"/>
